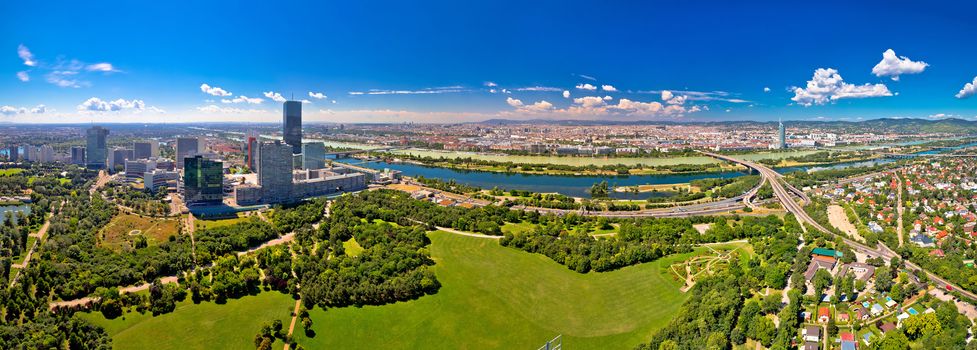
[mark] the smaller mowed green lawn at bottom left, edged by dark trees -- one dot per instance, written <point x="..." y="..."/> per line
<point x="198" y="326"/>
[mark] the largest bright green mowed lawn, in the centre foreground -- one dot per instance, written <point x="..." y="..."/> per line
<point x="494" y="297"/>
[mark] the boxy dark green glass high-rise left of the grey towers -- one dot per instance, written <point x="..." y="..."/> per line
<point x="203" y="180"/>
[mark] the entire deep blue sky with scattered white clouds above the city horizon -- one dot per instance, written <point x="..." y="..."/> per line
<point x="461" y="61"/>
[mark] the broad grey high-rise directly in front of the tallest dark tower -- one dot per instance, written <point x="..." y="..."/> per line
<point x="275" y="171"/>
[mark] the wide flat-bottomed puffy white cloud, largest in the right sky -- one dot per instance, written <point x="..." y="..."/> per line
<point x="827" y="85"/>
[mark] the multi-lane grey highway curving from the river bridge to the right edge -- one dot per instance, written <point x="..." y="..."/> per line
<point x="783" y="194"/>
